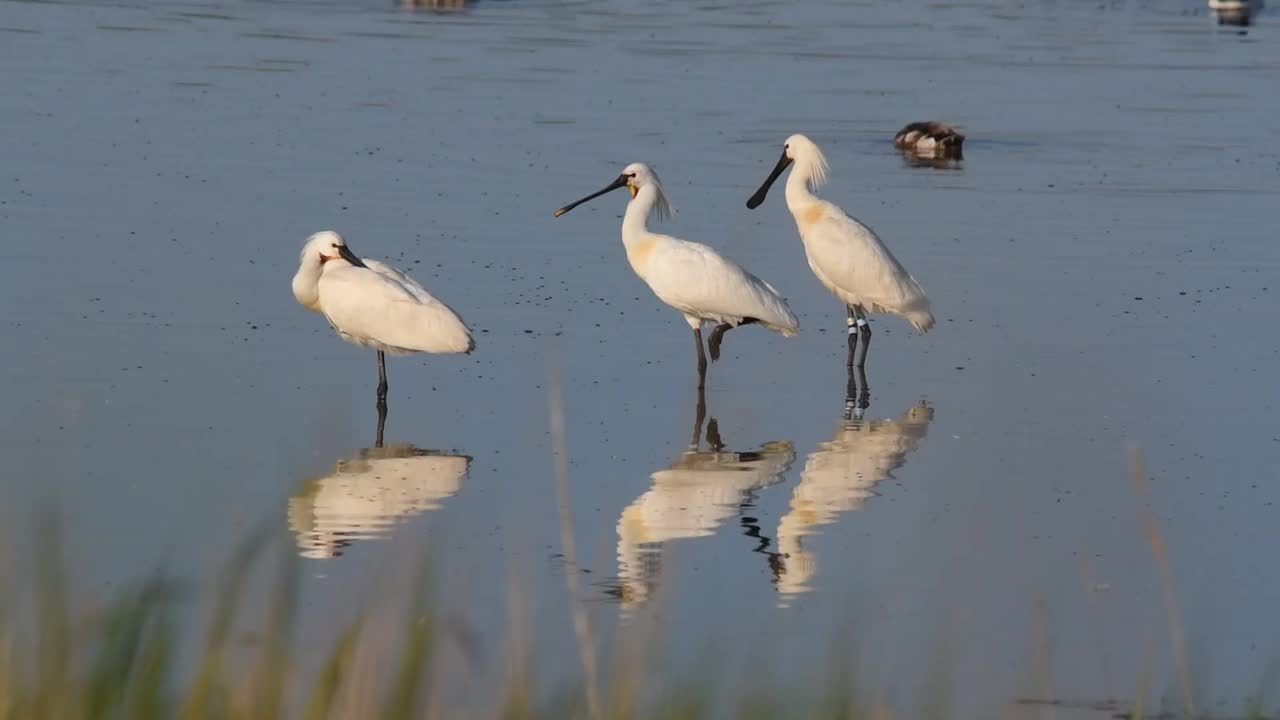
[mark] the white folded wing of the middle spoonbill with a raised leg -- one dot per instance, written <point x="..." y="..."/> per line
<point x="694" y="279"/>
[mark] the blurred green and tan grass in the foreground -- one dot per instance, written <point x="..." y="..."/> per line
<point x="63" y="659"/>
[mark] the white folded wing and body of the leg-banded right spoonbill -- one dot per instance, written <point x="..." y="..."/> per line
<point x="851" y="259"/>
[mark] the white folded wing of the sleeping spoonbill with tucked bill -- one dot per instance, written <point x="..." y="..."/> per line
<point x="388" y="311"/>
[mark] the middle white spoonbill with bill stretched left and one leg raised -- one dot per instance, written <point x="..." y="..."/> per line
<point x="692" y="277"/>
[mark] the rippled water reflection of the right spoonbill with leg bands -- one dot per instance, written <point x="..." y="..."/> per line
<point x="840" y="477"/>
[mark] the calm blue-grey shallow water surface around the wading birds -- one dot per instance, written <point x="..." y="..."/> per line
<point x="1103" y="266"/>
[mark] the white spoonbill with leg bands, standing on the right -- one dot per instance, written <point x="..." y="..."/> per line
<point x="847" y="256"/>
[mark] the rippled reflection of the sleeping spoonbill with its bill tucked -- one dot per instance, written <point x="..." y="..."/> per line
<point x="371" y="493"/>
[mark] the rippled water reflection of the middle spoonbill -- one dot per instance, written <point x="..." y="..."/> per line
<point x="692" y="499"/>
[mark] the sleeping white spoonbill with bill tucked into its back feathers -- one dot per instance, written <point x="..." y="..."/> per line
<point x="376" y="306"/>
